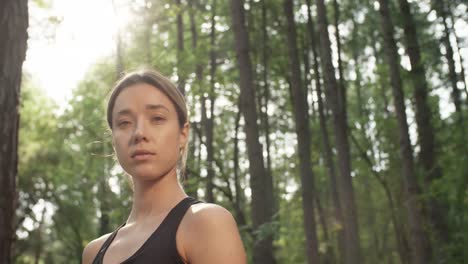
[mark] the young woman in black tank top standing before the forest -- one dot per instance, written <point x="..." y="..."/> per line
<point x="148" y="119"/>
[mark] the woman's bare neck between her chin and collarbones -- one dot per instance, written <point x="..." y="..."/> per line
<point x="152" y="198"/>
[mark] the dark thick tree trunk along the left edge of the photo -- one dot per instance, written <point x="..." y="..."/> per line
<point x="13" y="29"/>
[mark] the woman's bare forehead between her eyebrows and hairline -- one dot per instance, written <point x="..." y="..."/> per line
<point x="137" y="97"/>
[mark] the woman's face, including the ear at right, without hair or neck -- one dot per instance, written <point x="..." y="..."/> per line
<point x="146" y="134"/>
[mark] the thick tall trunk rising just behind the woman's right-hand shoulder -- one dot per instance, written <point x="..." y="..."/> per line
<point x="260" y="183"/>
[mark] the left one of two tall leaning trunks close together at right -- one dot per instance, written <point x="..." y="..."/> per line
<point x="419" y="243"/>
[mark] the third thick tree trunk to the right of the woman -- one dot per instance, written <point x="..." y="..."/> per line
<point x="352" y="246"/>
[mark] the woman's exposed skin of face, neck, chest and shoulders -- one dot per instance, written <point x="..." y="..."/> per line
<point x="147" y="139"/>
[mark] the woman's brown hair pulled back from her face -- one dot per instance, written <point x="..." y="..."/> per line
<point x="162" y="83"/>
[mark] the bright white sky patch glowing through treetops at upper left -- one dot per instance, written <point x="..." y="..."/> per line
<point x="59" y="56"/>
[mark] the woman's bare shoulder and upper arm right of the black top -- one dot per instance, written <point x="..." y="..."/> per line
<point x="210" y="235"/>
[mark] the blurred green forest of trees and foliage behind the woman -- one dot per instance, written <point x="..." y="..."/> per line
<point x="334" y="131"/>
